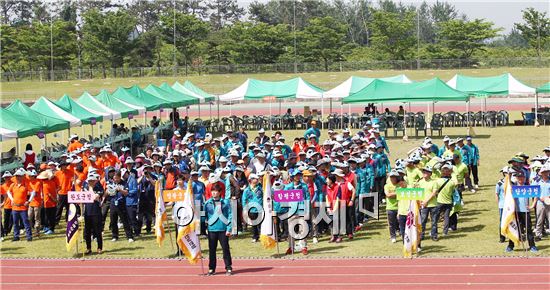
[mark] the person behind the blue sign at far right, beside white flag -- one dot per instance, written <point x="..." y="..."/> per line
<point x="523" y="216"/>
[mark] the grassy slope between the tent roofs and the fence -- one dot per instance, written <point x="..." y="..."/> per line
<point x="216" y="84"/>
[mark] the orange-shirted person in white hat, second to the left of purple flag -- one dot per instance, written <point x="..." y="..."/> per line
<point x="49" y="188"/>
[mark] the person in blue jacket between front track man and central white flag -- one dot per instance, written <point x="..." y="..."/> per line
<point x="253" y="197"/>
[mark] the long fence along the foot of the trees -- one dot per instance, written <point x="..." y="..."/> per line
<point x="99" y="73"/>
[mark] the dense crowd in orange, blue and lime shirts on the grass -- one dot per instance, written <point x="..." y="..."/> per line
<point x="341" y="169"/>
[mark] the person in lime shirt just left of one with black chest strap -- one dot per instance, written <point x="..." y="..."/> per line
<point x="429" y="204"/>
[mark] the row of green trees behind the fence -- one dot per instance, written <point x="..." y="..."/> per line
<point x="147" y="33"/>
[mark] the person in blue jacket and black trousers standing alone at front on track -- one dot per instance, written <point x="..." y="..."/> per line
<point x="218" y="217"/>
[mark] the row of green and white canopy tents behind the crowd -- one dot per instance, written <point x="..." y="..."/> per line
<point x="46" y="116"/>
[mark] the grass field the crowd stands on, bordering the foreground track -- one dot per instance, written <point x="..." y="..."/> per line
<point x="478" y="223"/>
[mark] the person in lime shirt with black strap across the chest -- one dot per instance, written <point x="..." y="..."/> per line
<point x="445" y="188"/>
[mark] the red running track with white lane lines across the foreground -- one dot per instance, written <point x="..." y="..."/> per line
<point x="378" y="273"/>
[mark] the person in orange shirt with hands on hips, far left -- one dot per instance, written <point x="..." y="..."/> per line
<point x="19" y="195"/>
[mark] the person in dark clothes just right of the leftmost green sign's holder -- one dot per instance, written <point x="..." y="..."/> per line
<point x="118" y="190"/>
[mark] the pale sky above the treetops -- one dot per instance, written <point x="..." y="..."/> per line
<point x="503" y="13"/>
